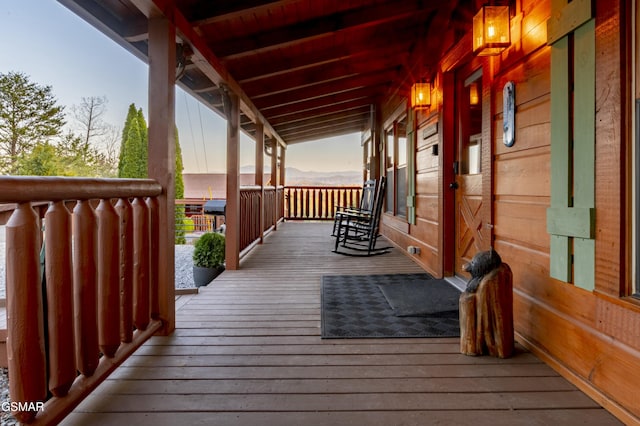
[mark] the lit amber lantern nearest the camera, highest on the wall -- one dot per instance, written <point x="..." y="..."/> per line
<point x="491" y="30"/>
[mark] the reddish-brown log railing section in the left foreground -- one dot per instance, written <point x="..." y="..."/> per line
<point x="71" y="322"/>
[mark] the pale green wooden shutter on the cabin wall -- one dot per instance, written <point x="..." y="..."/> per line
<point x="571" y="217"/>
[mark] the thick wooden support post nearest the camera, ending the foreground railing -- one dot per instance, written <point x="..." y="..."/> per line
<point x="162" y="75"/>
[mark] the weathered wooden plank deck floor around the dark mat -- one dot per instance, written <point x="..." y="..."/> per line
<point x="247" y="351"/>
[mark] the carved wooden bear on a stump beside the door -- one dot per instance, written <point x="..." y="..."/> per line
<point x="486" y="307"/>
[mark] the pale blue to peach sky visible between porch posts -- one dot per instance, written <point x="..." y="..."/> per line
<point x="55" y="47"/>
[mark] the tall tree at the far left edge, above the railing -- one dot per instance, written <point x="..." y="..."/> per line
<point x="29" y="115"/>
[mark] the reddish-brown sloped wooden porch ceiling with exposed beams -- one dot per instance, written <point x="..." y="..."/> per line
<point x="310" y="68"/>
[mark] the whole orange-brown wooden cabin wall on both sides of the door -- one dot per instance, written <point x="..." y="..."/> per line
<point x="591" y="336"/>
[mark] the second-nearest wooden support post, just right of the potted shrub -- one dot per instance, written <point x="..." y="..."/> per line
<point x="232" y="218"/>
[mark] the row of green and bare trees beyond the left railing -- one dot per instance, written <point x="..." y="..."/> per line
<point x="33" y="141"/>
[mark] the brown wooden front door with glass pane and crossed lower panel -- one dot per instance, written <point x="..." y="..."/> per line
<point x="468" y="183"/>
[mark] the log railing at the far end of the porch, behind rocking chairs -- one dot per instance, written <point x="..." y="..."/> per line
<point x="318" y="202"/>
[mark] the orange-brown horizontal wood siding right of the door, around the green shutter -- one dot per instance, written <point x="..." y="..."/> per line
<point x="594" y="339"/>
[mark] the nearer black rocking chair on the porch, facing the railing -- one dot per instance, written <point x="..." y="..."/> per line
<point x="357" y="233"/>
